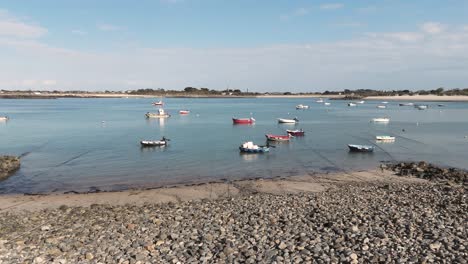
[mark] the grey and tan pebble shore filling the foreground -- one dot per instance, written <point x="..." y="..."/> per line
<point x="415" y="222"/>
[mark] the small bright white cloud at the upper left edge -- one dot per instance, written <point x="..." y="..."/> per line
<point x="11" y="26"/>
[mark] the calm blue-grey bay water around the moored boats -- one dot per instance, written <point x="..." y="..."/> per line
<point x="67" y="147"/>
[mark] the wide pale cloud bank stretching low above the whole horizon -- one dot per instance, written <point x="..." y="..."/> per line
<point x="379" y="60"/>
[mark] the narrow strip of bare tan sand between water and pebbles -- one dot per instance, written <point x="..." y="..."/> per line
<point x="198" y="191"/>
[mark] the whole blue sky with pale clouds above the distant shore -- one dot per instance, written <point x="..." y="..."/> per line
<point x="255" y="45"/>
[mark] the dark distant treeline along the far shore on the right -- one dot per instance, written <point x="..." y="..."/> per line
<point x="369" y="92"/>
